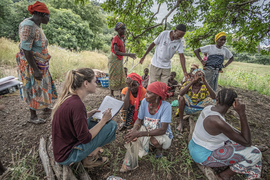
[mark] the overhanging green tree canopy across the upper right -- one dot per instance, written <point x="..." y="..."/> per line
<point x="246" y="21"/>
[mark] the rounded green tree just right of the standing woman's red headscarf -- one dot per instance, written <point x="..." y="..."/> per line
<point x="68" y="30"/>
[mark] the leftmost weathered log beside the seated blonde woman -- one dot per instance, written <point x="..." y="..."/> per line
<point x="45" y="159"/>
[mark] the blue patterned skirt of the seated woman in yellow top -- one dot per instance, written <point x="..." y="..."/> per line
<point x="190" y="108"/>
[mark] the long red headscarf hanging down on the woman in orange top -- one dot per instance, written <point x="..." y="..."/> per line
<point x="136" y="77"/>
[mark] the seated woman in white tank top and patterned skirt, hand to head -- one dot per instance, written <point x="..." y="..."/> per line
<point x="215" y="143"/>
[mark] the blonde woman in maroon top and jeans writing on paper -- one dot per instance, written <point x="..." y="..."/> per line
<point x="76" y="138"/>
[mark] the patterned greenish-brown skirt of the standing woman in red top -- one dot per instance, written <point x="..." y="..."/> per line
<point x="117" y="77"/>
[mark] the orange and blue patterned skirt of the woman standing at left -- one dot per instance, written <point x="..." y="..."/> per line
<point x="36" y="94"/>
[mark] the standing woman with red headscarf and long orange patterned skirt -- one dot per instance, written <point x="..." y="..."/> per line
<point x="38" y="88"/>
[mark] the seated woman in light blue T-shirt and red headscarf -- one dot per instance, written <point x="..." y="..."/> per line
<point x="153" y="123"/>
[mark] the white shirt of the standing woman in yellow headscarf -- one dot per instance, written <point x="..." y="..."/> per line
<point x="213" y="50"/>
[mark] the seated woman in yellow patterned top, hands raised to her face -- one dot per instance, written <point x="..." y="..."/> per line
<point x="194" y="96"/>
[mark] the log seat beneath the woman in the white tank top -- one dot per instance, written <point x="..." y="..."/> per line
<point x="207" y="171"/>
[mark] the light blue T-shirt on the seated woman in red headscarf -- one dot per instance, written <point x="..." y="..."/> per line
<point x="151" y="122"/>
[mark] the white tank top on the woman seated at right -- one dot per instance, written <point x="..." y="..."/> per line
<point x="202" y="137"/>
